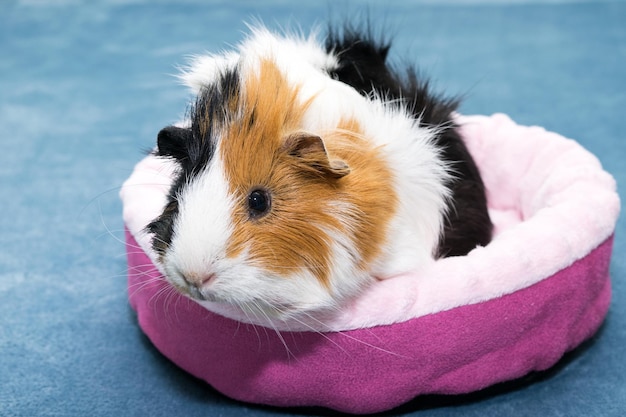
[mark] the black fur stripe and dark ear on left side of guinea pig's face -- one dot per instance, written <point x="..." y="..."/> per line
<point x="192" y="148"/>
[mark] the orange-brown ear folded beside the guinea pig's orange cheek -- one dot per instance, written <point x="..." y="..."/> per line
<point x="311" y="153"/>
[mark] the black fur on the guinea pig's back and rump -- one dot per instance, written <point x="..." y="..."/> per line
<point x="363" y="65"/>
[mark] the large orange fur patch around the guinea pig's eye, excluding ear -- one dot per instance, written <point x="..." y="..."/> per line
<point x="293" y="235"/>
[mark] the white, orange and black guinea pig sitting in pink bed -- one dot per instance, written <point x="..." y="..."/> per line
<point x="306" y="170"/>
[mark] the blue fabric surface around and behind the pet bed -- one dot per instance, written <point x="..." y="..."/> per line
<point x="84" y="88"/>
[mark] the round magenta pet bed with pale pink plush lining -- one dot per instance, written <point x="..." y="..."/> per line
<point x="538" y="290"/>
